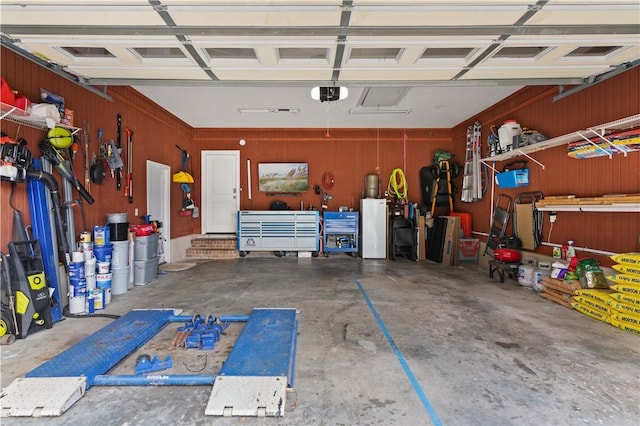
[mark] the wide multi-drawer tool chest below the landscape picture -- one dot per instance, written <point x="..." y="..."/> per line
<point x="266" y="230"/>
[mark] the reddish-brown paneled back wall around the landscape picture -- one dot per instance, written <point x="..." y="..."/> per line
<point x="347" y="154"/>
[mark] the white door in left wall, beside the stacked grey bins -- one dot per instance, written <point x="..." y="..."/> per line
<point x="158" y="204"/>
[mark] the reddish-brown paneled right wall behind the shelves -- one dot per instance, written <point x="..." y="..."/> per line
<point x="534" y="108"/>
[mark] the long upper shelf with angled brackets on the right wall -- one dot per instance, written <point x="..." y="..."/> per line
<point x="599" y="131"/>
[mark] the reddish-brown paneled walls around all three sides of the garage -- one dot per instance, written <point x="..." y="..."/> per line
<point x="348" y="154"/>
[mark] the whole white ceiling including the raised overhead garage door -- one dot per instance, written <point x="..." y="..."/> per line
<point x="456" y="57"/>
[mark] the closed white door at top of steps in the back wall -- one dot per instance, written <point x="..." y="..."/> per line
<point x="220" y="191"/>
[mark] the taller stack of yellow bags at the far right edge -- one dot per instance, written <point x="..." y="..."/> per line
<point x="625" y="302"/>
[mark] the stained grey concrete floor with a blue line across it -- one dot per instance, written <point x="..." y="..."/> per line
<point x="459" y="349"/>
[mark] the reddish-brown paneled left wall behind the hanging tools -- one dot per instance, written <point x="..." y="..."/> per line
<point x="156" y="132"/>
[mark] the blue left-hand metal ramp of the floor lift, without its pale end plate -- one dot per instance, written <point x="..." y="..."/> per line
<point x="99" y="352"/>
